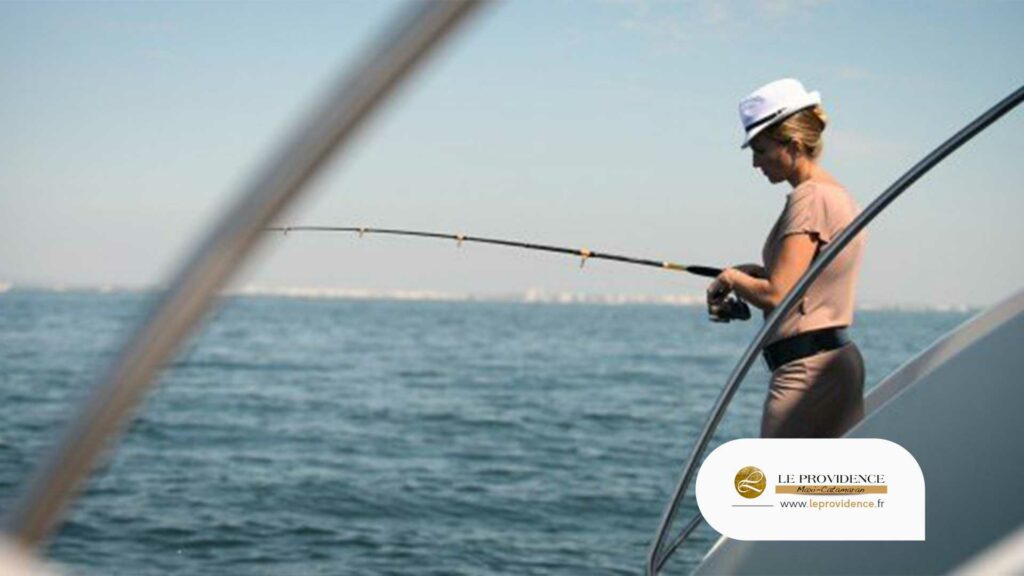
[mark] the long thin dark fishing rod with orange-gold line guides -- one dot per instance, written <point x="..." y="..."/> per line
<point x="583" y="254"/>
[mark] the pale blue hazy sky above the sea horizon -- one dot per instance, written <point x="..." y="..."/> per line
<point x="130" y="128"/>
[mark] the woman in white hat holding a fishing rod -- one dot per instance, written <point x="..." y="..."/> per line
<point x="818" y="378"/>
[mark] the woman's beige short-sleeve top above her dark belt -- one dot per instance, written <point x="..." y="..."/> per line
<point x="822" y="211"/>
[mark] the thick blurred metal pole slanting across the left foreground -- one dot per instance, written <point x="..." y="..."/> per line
<point x="191" y="294"/>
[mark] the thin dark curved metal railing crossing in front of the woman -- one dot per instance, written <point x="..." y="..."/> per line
<point x="660" y="553"/>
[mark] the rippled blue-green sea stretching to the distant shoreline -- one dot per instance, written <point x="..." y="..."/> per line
<point x="302" y="436"/>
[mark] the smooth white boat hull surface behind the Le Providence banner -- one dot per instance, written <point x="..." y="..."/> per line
<point x="959" y="408"/>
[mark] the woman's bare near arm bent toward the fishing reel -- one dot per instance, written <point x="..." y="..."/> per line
<point x="794" y="260"/>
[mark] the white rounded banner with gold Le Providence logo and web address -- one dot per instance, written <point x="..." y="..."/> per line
<point x="813" y="489"/>
